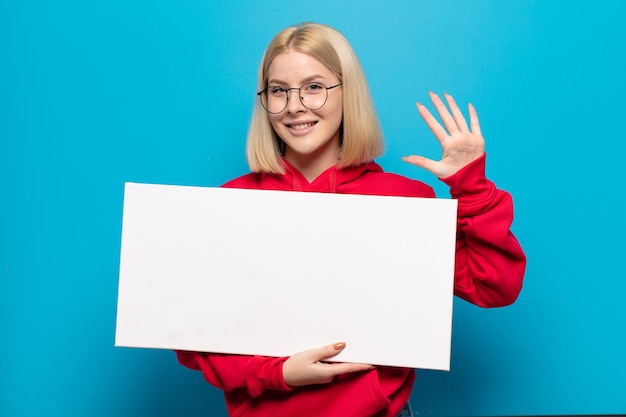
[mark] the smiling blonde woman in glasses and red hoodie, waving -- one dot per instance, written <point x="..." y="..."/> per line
<point x="314" y="129"/>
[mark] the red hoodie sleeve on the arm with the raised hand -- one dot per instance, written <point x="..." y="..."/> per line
<point x="490" y="263"/>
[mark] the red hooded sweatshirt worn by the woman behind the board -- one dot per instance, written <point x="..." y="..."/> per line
<point x="489" y="270"/>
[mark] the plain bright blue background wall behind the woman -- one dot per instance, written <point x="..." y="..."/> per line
<point x="93" y="94"/>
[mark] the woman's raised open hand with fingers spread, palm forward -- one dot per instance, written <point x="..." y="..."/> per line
<point x="460" y="143"/>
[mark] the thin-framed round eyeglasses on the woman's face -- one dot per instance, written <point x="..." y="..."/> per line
<point x="313" y="96"/>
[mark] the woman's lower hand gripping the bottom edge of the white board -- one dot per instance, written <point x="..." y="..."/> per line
<point x="307" y="368"/>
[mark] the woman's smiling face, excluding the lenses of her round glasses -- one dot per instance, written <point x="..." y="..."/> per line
<point x="311" y="136"/>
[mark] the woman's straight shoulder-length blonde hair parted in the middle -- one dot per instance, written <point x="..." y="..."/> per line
<point x="361" y="137"/>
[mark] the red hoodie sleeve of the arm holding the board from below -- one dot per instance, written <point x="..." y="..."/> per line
<point x="232" y="372"/>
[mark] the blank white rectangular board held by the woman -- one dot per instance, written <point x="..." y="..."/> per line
<point x="274" y="273"/>
